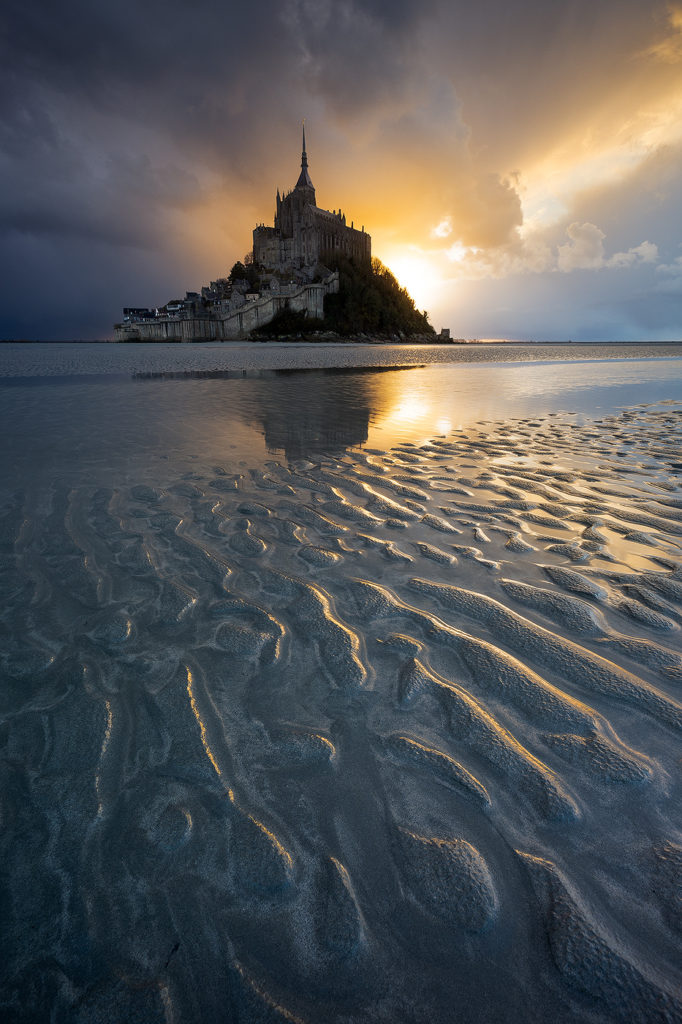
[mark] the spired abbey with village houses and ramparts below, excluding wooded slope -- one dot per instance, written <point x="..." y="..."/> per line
<point x="290" y="259"/>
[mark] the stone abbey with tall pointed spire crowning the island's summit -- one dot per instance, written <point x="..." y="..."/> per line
<point x="304" y="234"/>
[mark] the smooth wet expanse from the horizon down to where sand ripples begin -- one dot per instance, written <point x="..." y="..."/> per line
<point x="86" y="409"/>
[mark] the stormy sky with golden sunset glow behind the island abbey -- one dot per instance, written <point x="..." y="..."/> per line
<point x="519" y="163"/>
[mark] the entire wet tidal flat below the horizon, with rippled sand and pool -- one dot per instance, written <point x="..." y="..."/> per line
<point x="342" y="685"/>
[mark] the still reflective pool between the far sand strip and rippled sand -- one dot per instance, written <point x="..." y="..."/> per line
<point x="113" y="429"/>
